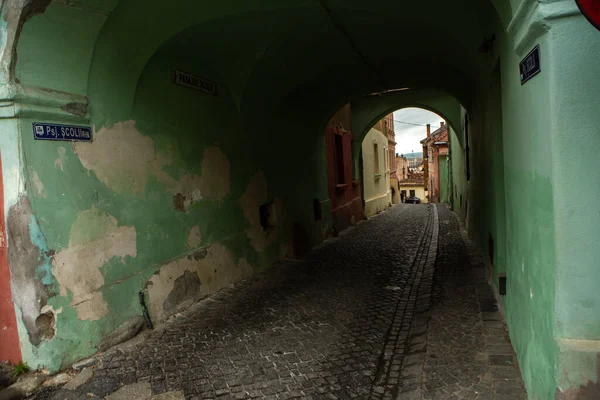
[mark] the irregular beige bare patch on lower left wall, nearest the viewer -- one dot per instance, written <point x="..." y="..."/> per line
<point x="95" y="238"/>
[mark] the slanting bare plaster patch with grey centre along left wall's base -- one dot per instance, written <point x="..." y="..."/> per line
<point x="214" y="269"/>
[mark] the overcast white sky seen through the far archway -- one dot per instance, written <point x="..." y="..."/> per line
<point x="409" y="136"/>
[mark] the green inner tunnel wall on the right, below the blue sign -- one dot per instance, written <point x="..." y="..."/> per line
<point x="511" y="161"/>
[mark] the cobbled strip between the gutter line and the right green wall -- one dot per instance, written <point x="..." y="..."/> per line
<point x="465" y="353"/>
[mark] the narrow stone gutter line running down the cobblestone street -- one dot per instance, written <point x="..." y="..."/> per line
<point x="410" y="319"/>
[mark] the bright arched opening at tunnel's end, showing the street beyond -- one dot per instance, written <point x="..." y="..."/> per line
<point x="408" y="177"/>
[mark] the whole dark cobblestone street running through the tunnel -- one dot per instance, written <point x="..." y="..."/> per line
<point x="396" y="308"/>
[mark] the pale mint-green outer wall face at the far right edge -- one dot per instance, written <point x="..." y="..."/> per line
<point x="575" y="135"/>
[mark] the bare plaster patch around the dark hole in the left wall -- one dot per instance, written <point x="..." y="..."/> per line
<point x="255" y="195"/>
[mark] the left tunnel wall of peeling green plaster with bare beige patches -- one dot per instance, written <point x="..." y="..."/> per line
<point x="165" y="201"/>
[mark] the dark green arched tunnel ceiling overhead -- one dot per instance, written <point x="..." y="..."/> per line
<point x="276" y="56"/>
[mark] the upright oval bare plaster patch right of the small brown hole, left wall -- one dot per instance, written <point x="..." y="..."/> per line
<point x="215" y="183"/>
